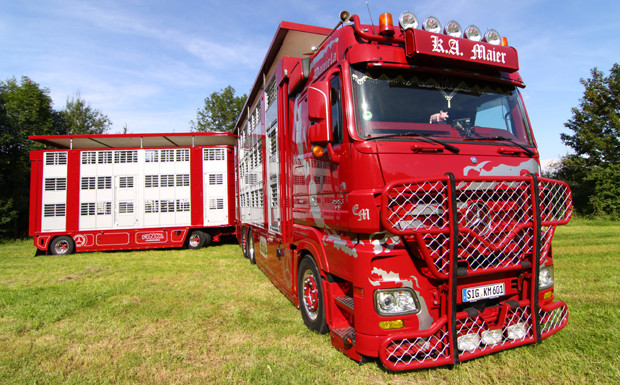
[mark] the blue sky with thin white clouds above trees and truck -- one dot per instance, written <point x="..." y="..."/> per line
<point x="150" y="64"/>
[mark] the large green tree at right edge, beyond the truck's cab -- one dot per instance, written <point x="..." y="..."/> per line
<point x="593" y="170"/>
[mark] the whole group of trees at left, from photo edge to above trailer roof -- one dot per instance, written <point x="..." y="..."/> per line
<point x="26" y="109"/>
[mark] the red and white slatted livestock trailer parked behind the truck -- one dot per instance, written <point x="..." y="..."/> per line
<point x="131" y="191"/>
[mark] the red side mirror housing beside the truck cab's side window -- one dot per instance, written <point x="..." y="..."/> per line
<point x="319" y="112"/>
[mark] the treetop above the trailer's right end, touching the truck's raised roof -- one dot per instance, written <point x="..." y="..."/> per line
<point x="220" y="111"/>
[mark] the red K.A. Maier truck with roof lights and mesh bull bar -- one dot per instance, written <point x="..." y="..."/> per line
<point x="389" y="185"/>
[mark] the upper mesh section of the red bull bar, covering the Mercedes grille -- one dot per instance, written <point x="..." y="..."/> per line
<point x="495" y="220"/>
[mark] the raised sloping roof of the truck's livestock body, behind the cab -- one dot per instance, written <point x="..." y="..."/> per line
<point x="291" y="39"/>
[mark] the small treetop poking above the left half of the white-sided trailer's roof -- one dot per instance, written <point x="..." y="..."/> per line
<point x="79" y="117"/>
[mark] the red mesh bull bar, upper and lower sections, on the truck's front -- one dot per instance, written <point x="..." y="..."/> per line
<point x="475" y="226"/>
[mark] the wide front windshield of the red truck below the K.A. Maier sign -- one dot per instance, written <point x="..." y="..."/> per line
<point x="446" y="108"/>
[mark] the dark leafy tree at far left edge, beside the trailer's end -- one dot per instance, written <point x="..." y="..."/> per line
<point x="25" y="109"/>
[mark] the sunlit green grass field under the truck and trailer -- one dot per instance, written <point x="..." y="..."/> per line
<point x="208" y="316"/>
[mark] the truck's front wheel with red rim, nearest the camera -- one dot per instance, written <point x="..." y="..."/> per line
<point x="310" y="293"/>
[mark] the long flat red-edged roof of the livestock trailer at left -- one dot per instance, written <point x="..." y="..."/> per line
<point x="102" y="141"/>
